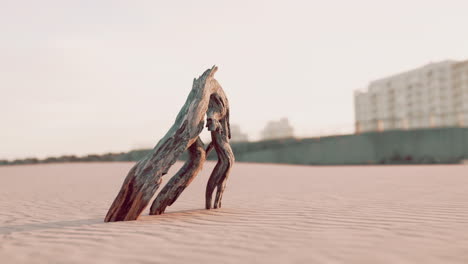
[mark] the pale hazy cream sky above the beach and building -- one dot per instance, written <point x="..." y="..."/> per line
<point x="80" y="77"/>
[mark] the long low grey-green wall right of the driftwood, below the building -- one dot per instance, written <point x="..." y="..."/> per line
<point x="440" y="145"/>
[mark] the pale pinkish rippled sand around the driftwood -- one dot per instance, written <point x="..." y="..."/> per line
<point x="271" y="214"/>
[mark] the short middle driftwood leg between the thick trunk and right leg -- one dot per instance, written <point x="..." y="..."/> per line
<point x="171" y="191"/>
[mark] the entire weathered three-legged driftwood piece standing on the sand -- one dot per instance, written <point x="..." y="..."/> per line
<point x="140" y="185"/>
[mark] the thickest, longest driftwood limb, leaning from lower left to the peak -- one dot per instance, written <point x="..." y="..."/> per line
<point x="144" y="178"/>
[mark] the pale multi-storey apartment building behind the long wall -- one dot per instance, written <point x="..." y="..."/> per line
<point x="435" y="95"/>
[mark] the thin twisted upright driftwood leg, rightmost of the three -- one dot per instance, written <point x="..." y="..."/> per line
<point x="218" y="124"/>
